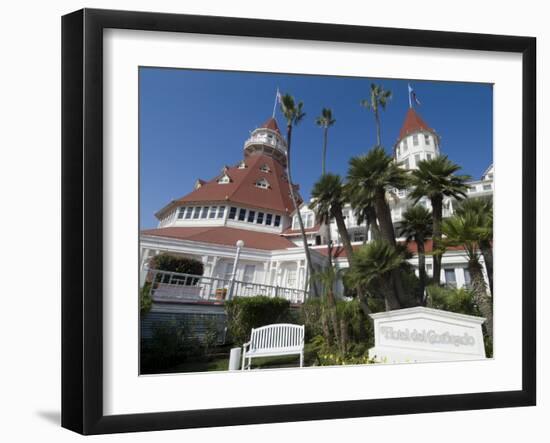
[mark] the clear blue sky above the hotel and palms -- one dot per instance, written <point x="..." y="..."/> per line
<point x="192" y="123"/>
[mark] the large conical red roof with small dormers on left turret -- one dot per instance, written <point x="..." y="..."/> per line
<point x="243" y="190"/>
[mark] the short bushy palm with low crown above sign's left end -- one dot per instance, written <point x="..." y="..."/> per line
<point x="372" y="270"/>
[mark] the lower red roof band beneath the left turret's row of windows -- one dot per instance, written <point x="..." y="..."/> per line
<point x="222" y="235"/>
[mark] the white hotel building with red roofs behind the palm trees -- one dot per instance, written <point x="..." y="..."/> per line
<point x="250" y="203"/>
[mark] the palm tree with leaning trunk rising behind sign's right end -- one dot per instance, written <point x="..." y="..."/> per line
<point x="463" y="230"/>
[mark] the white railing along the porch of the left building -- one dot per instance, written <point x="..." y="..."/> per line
<point x="173" y="286"/>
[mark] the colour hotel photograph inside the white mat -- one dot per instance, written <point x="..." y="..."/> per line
<point x="291" y="221"/>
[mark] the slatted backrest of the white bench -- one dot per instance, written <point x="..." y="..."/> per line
<point x="282" y="335"/>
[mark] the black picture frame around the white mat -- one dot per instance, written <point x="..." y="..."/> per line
<point x="82" y="218"/>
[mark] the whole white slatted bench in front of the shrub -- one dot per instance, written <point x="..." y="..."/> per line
<point x="274" y="340"/>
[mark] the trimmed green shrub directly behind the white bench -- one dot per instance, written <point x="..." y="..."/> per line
<point x="245" y="313"/>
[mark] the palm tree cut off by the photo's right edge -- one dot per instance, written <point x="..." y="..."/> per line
<point x="483" y="208"/>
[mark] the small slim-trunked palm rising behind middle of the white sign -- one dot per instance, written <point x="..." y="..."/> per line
<point x="417" y="226"/>
